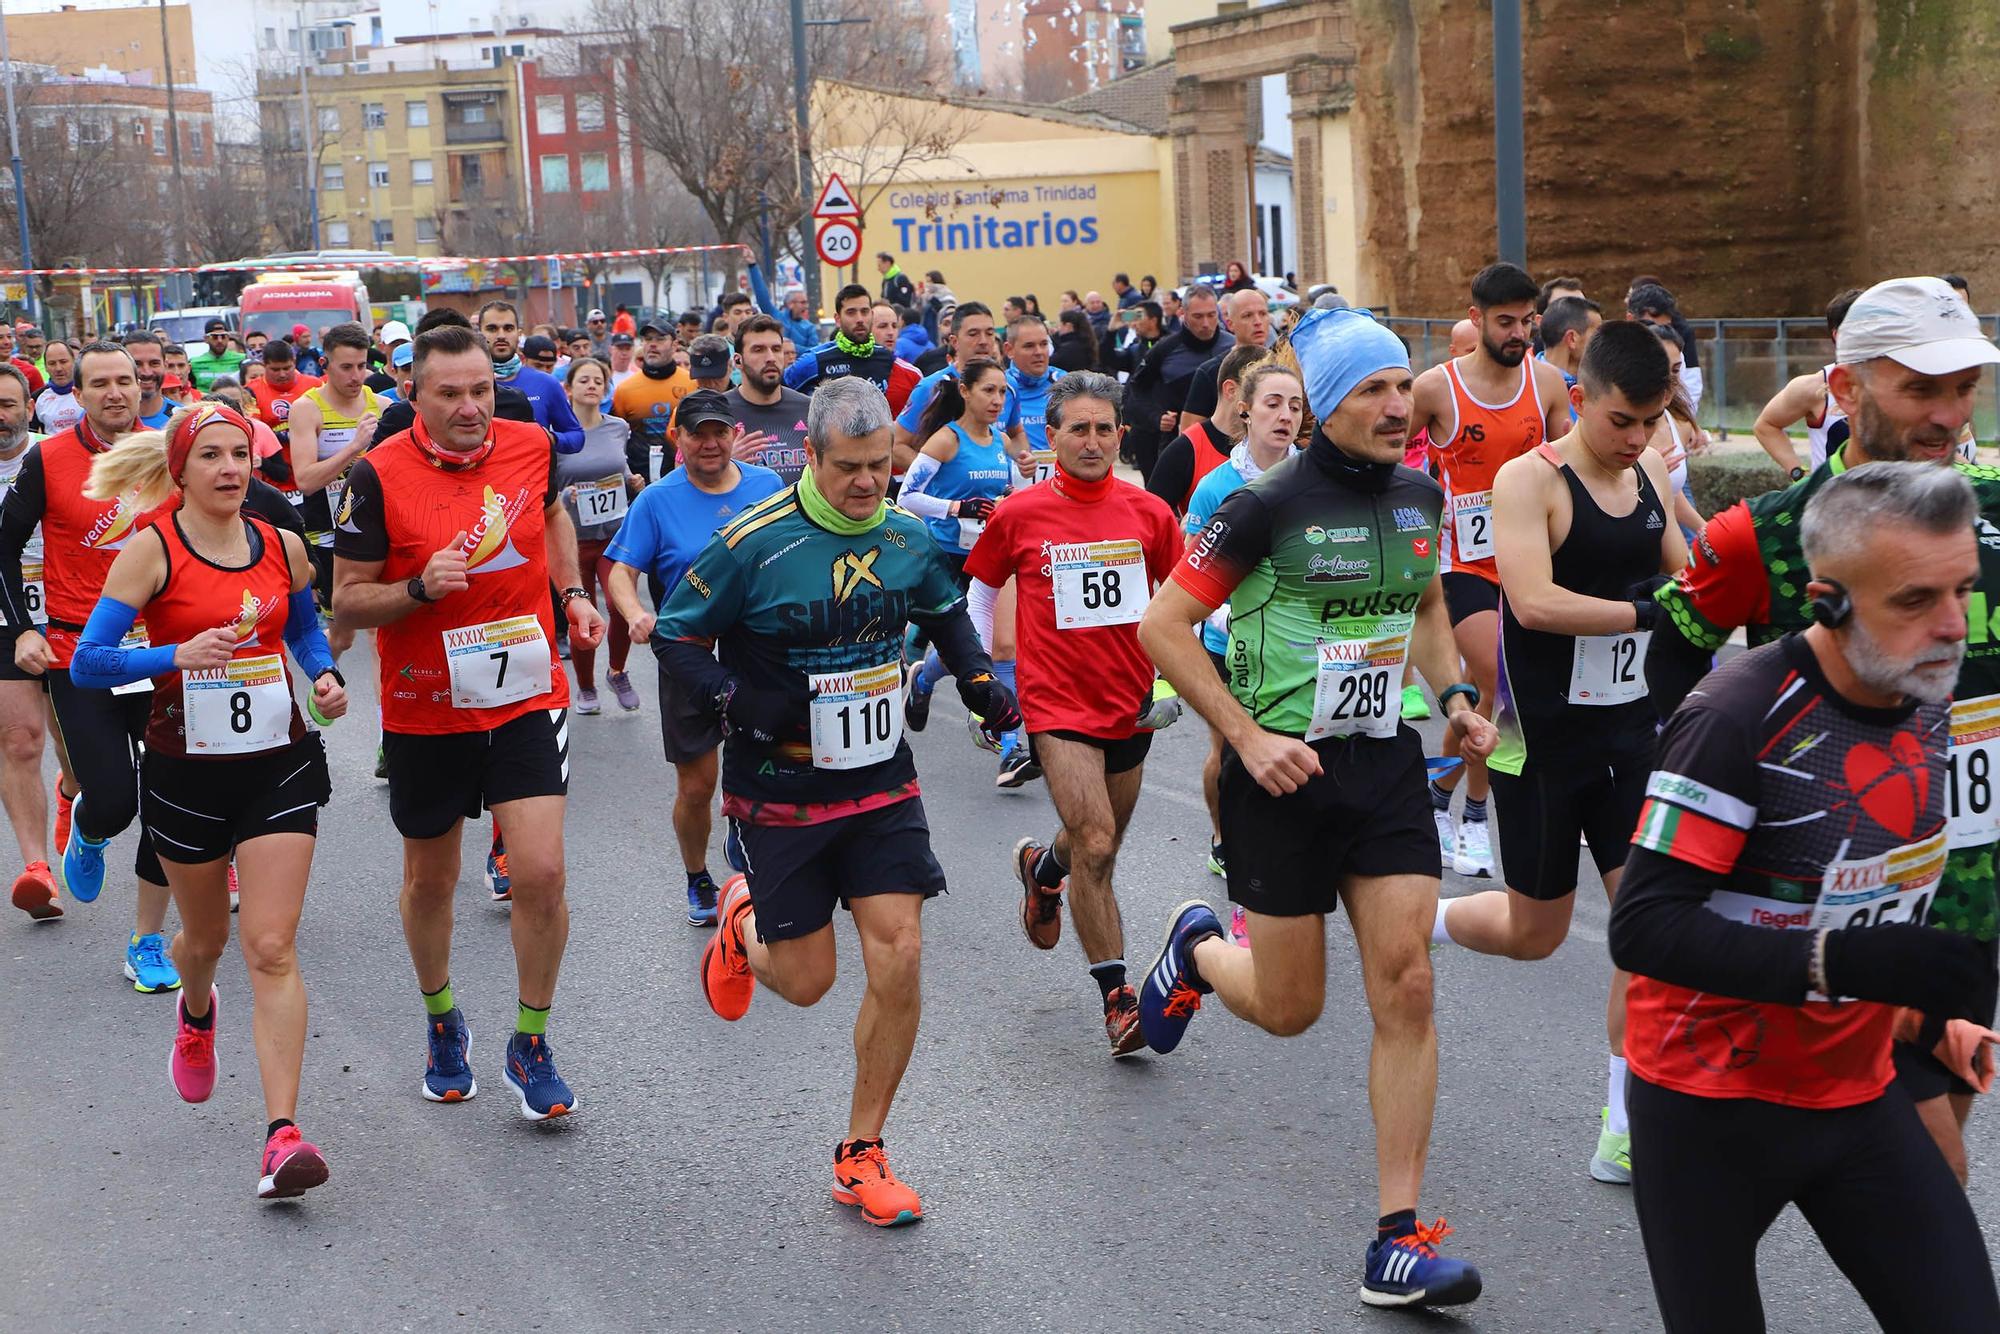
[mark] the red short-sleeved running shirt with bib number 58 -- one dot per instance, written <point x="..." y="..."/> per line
<point x="1087" y="679"/>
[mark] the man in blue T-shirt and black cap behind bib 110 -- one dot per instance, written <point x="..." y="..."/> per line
<point x="667" y="529"/>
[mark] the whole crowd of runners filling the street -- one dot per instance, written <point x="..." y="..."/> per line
<point x="1319" y="547"/>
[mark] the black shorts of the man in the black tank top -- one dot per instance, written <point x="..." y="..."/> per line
<point x="1561" y="799"/>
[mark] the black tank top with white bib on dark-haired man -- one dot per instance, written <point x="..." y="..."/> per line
<point x="1547" y="687"/>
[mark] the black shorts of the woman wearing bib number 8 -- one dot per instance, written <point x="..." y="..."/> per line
<point x="197" y="811"/>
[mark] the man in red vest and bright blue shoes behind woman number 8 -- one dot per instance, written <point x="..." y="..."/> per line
<point x="97" y="731"/>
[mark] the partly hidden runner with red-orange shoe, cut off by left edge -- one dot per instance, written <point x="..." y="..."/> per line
<point x="23" y="729"/>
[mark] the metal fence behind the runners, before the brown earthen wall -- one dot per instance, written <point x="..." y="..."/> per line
<point x="1743" y="365"/>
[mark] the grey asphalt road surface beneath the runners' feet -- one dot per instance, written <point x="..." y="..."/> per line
<point x="1229" y="1185"/>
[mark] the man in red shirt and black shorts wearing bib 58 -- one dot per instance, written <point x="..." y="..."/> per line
<point x="1087" y="553"/>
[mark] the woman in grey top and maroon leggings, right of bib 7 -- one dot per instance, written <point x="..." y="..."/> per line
<point x="597" y="489"/>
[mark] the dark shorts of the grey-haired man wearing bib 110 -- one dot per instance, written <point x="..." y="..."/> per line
<point x="801" y="871"/>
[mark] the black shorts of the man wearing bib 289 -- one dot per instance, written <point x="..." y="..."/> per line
<point x="1367" y="815"/>
